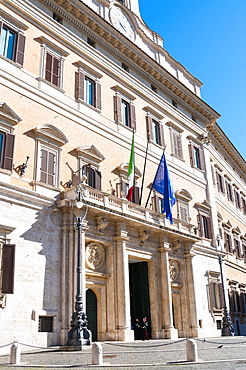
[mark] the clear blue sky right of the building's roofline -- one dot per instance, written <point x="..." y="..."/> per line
<point x="209" y="38"/>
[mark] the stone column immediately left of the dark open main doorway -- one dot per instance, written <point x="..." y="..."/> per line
<point x="122" y="285"/>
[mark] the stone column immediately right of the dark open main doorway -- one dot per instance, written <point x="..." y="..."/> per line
<point x="169" y="331"/>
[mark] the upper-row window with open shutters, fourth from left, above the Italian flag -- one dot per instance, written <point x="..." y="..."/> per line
<point x="124" y="111"/>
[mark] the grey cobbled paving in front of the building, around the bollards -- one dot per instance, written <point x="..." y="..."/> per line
<point x="213" y="353"/>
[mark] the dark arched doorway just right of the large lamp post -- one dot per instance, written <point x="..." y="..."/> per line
<point x="91" y="312"/>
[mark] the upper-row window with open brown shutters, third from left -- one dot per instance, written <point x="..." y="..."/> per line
<point x="87" y="87"/>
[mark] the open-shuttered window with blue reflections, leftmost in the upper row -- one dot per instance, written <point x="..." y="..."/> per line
<point x="12" y="42"/>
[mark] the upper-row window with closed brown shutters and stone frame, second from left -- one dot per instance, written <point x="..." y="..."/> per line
<point x="52" y="63"/>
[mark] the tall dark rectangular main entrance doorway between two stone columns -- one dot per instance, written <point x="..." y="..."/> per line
<point x="139" y="291"/>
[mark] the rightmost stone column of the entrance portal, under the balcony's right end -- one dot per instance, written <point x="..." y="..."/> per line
<point x="191" y="296"/>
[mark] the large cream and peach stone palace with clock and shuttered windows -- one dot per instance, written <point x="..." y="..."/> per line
<point x="77" y="78"/>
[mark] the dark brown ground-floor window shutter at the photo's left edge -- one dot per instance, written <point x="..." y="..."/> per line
<point x="8" y="261"/>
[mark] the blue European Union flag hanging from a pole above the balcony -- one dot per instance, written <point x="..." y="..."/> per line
<point x="163" y="184"/>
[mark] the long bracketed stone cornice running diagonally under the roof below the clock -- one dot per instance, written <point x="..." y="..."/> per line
<point x="81" y="13"/>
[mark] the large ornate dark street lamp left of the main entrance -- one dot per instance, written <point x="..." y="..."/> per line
<point x="79" y="335"/>
